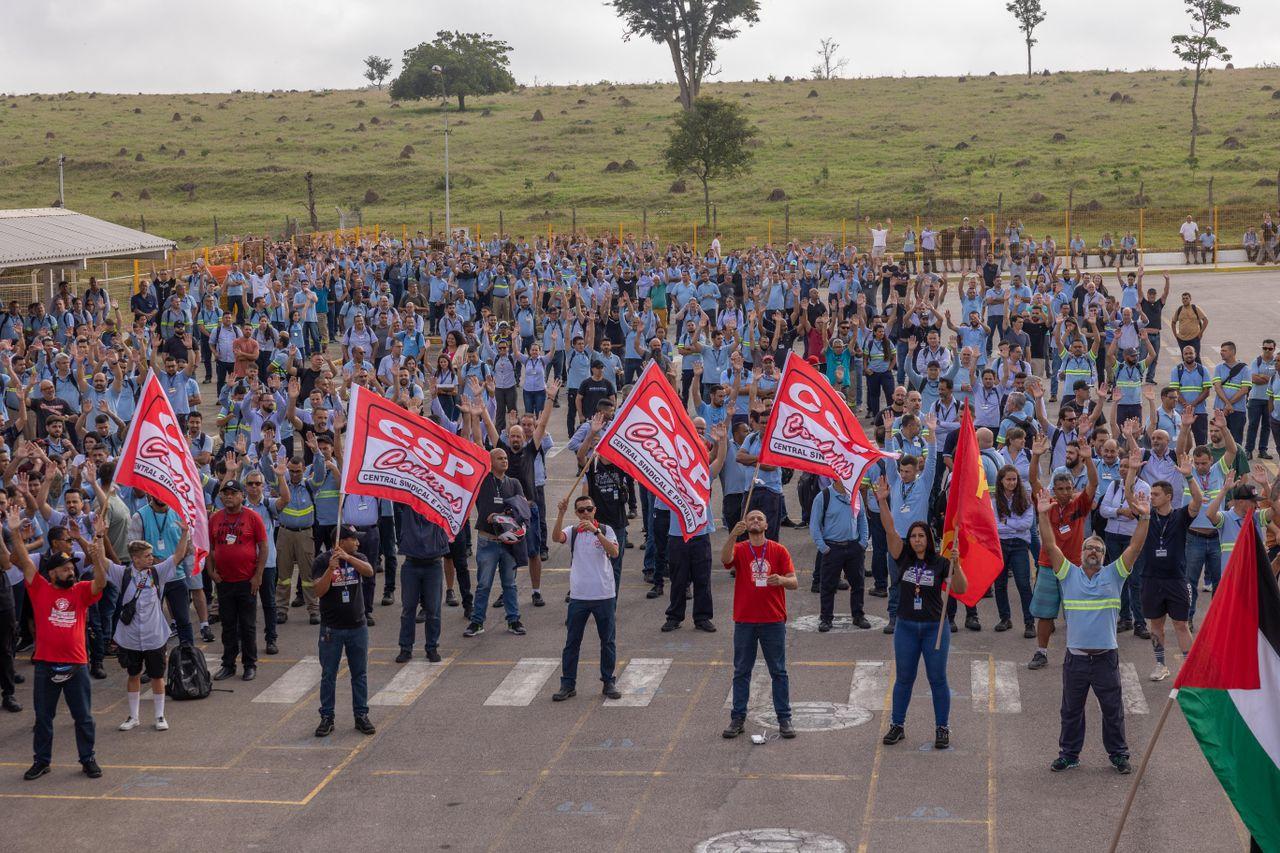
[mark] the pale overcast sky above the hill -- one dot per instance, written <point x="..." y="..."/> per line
<point x="198" y="45"/>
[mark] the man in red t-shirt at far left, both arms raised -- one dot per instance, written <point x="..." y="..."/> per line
<point x="60" y="606"/>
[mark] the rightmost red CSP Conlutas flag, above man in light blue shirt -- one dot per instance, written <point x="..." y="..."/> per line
<point x="813" y="430"/>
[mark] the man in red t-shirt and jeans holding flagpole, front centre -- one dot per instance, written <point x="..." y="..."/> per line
<point x="764" y="571"/>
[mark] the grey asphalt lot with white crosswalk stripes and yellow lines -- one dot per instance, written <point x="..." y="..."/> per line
<point x="473" y="755"/>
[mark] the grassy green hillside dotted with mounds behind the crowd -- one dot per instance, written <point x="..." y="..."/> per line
<point x="888" y="147"/>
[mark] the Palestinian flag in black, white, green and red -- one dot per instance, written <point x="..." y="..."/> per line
<point x="1229" y="688"/>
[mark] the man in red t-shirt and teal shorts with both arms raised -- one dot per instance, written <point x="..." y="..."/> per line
<point x="1068" y="514"/>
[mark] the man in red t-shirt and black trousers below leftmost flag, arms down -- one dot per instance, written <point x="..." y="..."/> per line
<point x="237" y="555"/>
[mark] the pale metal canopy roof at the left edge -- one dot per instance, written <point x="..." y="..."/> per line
<point x="52" y="236"/>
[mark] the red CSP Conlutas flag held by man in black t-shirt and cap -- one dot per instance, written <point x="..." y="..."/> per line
<point x="404" y="458"/>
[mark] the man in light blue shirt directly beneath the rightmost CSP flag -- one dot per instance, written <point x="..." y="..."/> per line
<point x="842" y="537"/>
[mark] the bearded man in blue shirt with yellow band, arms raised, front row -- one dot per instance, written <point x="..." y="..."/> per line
<point x="1091" y="600"/>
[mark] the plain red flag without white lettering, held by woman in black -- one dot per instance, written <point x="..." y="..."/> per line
<point x="970" y="528"/>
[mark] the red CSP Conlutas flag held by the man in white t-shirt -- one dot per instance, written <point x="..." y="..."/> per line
<point x="653" y="440"/>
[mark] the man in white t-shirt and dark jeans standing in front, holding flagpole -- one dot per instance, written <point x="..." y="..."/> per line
<point x="591" y="592"/>
